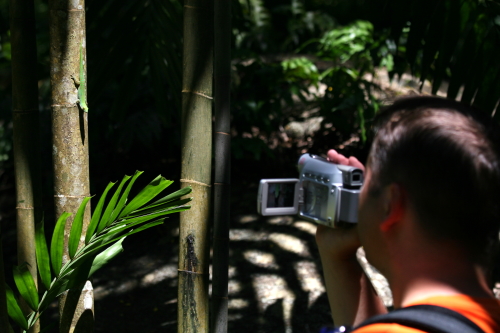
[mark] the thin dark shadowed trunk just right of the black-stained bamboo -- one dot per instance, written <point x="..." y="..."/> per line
<point x="222" y="86"/>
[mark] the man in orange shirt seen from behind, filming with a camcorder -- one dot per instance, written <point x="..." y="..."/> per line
<point x="429" y="215"/>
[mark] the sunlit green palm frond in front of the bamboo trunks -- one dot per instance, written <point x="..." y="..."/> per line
<point x="106" y="232"/>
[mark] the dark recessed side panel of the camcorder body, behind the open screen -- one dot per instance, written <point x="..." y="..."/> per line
<point x="315" y="199"/>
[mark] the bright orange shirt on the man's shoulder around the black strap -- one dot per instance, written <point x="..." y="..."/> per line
<point x="484" y="312"/>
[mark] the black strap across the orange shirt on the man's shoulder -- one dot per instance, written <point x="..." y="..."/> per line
<point x="427" y="318"/>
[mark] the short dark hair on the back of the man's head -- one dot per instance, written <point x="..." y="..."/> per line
<point x="446" y="155"/>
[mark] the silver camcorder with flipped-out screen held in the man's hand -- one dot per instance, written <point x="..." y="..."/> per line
<point x="325" y="193"/>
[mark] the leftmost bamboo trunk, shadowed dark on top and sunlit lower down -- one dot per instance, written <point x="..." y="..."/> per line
<point x="26" y="135"/>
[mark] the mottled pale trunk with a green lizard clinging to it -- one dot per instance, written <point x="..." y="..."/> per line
<point x="70" y="143"/>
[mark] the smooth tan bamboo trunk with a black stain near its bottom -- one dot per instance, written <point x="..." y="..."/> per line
<point x="196" y="165"/>
